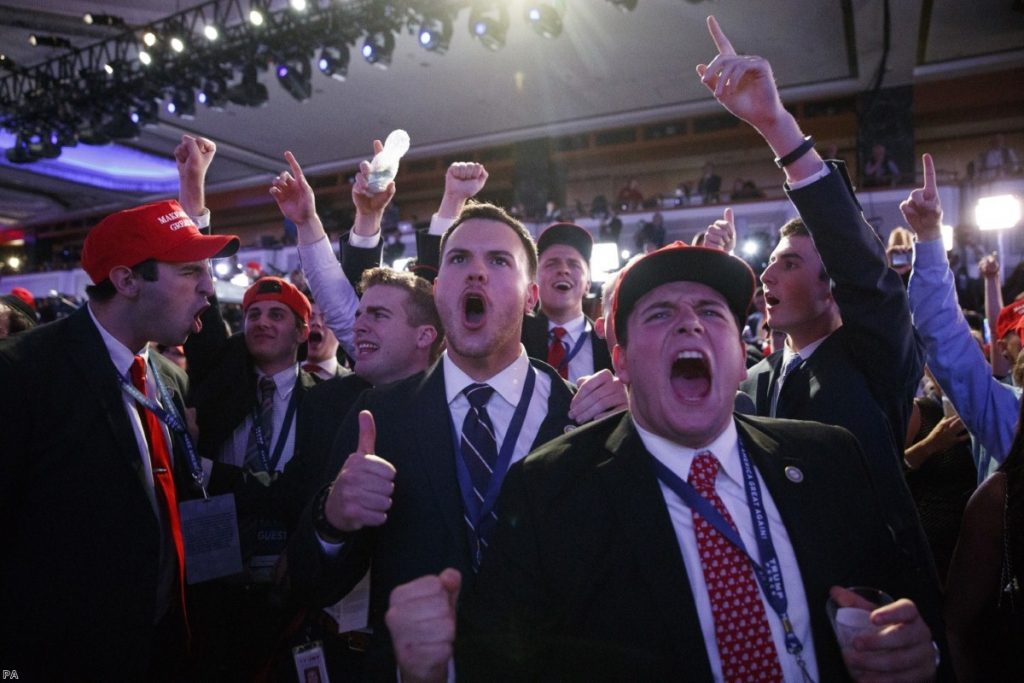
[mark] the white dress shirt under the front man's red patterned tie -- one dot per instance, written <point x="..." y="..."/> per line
<point x="730" y="487"/>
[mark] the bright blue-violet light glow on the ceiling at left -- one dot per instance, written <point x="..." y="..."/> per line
<point x="110" y="166"/>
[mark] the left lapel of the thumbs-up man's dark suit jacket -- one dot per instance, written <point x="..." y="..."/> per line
<point x="437" y="453"/>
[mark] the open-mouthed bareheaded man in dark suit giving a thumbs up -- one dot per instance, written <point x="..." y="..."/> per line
<point x="403" y="503"/>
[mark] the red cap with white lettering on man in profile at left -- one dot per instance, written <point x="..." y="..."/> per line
<point x="161" y="231"/>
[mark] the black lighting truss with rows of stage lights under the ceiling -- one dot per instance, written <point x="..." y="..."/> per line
<point x="222" y="48"/>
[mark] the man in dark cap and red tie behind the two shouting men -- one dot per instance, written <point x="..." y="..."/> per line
<point x="560" y="333"/>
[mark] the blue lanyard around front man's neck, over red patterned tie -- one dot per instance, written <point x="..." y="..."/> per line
<point x="769" y="572"/>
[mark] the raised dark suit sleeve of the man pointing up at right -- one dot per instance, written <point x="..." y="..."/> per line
<point x="870" y="294"/>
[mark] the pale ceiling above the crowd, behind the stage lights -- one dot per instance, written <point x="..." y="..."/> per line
<point x="609" y="68"/>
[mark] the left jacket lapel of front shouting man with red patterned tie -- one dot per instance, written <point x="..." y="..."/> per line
<point x="637" y="501"/>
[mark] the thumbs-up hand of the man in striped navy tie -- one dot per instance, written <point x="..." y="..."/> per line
<point x="361" y="495"/>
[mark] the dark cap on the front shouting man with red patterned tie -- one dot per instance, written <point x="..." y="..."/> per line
<point x="726" y="274"/>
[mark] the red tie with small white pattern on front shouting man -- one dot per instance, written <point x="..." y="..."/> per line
<point x="745" y="642"/>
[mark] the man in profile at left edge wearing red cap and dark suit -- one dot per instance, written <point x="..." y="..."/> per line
<point x="92" y="572"/>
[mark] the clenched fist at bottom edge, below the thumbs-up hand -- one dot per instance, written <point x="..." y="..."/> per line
<point x="422" y="621"/>
